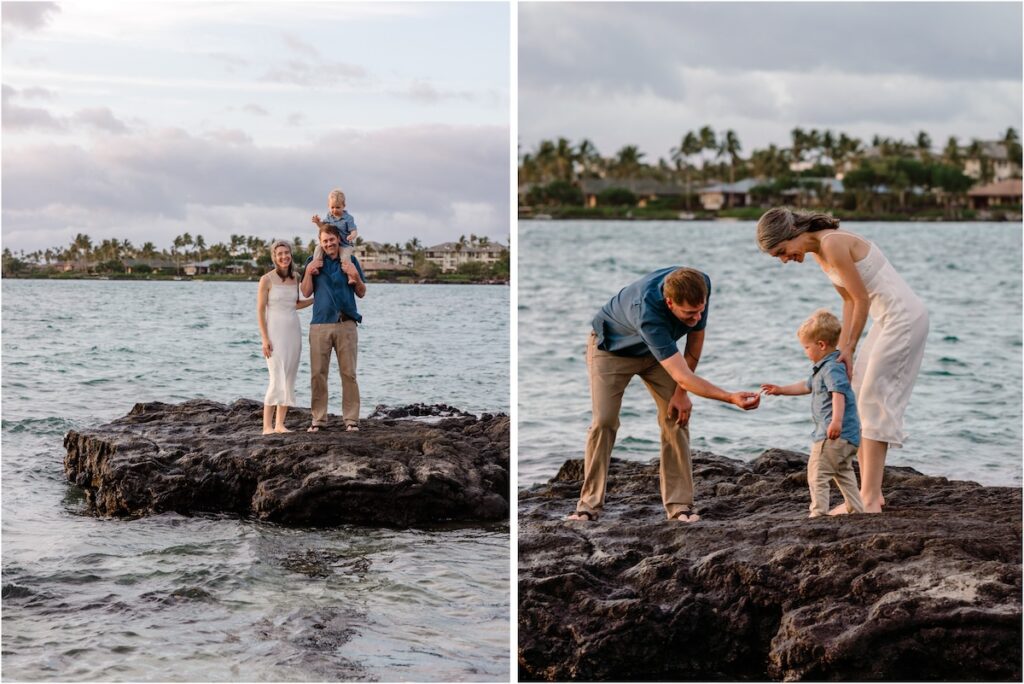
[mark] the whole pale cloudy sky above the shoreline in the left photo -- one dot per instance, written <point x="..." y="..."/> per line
<point x="144" y="121"/>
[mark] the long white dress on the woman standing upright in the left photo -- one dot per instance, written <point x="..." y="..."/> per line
<point x="286" y="338"/>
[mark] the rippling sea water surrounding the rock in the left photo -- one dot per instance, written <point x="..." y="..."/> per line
<point x="219" y="598"/>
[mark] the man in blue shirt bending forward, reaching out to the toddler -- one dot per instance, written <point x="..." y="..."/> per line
<point x="635" y="334"/>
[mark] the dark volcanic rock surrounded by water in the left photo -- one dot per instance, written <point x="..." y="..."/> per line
<point x="206" y="457"/>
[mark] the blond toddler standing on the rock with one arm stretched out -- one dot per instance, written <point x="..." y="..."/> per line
<point x="837" y="427"/>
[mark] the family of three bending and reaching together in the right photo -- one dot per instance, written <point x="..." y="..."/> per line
<point x="859" y="406"/>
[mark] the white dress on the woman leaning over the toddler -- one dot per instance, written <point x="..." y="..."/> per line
<point x="889" y="360"/>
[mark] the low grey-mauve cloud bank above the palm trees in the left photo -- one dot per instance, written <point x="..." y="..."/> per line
<point x="430" y="182"/>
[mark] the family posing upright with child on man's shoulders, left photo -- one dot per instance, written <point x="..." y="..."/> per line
<point x="331" y="282"/>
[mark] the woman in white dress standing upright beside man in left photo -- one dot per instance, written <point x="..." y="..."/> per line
<point x="277" y="307"/>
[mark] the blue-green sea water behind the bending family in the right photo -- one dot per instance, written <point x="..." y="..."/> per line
<point x="964" y="420"/>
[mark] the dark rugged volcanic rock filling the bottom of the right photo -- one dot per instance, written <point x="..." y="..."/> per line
<point x="930" y="590"/>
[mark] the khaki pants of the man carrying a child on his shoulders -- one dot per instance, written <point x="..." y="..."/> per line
<point x="344" y="339"/>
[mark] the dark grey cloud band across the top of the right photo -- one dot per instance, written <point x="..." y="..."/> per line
<point x="636" y="48"/>
